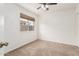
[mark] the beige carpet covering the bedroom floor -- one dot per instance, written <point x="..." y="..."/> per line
<point x="45" y="48"/>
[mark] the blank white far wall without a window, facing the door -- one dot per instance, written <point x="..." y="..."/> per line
<point x="58" y="27"/>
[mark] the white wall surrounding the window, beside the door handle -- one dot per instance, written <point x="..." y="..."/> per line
<point x="13" y="35"/>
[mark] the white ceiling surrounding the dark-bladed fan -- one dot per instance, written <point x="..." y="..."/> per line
<point x="60" y="6"/>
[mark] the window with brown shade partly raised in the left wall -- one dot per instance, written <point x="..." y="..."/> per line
<point x="26" y="23"/>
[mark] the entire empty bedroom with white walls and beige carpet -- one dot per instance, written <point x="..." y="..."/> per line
<point x="39" y="29"/>
